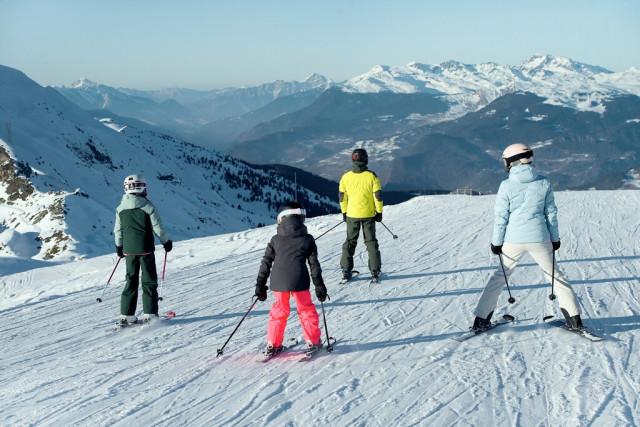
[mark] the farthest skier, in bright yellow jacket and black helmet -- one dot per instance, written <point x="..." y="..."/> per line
<point x="360" y="196"/>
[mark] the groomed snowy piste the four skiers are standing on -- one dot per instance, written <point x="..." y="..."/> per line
<point x="394" y="362"/>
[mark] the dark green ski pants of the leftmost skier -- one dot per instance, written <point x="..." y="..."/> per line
<point x="129" y="298"/>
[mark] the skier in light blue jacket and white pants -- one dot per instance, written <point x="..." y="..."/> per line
<point x="525" y="221"/>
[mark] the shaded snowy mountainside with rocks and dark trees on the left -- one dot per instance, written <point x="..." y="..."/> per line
<point x="62" y="172"/>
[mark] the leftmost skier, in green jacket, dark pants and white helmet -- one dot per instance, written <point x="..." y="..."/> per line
<point x="136" y="221"/>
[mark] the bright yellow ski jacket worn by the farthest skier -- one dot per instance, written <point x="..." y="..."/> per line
<point x="360" y="193"/>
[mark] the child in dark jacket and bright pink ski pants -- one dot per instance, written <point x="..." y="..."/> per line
<point x="285" y="259"/>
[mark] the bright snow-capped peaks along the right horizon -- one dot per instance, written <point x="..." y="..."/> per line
<point x="467" y="86"/>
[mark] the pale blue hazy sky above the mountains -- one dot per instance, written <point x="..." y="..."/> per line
<point x="199" y="44"/>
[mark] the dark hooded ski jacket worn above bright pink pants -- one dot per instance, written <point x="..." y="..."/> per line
<point x="286" y="256"/>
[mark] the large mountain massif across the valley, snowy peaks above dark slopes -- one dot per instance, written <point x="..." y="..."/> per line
<point x="396" y="111"/>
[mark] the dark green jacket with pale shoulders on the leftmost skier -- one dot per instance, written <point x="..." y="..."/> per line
<point x="137" y="219"/>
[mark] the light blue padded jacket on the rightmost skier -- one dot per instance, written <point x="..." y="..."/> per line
<point x="525" y="210"/>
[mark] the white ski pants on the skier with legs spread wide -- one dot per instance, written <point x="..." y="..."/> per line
<point x="542" y="254"/>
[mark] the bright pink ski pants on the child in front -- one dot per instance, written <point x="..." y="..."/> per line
<point x="279" y="313"/>
